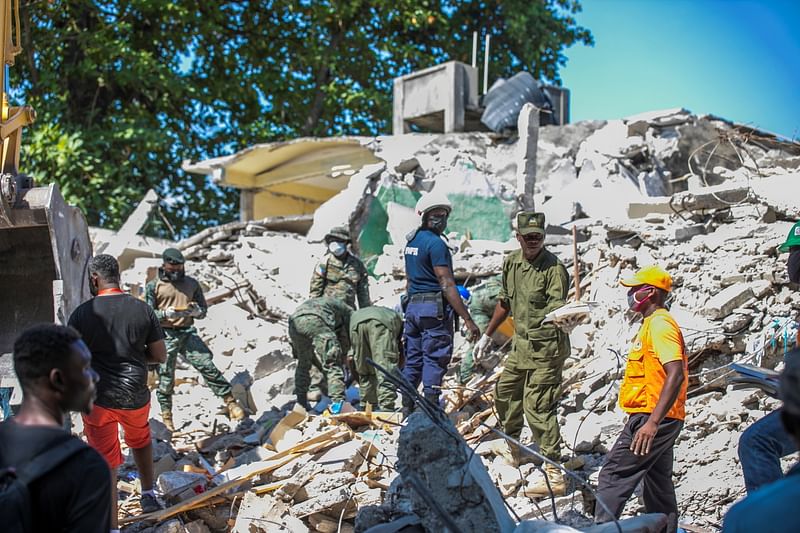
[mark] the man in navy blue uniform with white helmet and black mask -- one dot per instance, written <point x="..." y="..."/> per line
<point x="433" y="301"/>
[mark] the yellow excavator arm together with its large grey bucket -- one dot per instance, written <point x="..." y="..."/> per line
<point x="44" y="243"/>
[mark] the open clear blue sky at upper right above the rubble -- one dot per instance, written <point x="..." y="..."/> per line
<point x="733" y="58"/>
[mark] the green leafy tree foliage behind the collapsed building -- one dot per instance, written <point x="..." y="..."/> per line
<point x="127" y="89"/>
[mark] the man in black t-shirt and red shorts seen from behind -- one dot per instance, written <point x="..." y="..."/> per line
<point x="124" y="337"/>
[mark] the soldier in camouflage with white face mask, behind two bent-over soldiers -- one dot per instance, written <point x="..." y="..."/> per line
<point x="341" y="274"/>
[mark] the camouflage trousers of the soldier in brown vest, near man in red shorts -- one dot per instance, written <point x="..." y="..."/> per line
<point x="187" y="342"/>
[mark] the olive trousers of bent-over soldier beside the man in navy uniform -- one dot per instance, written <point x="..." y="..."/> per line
<point x="371" y="340"/>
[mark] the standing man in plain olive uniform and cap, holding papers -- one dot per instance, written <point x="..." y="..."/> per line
<point x="534" y="283"/>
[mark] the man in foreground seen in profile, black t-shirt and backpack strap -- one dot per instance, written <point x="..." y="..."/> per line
<point x="53" y="367"/>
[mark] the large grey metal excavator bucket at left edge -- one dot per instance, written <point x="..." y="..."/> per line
<point x="44" y="251"/>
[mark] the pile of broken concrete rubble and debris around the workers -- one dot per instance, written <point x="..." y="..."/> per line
<point x="707" y="200"/>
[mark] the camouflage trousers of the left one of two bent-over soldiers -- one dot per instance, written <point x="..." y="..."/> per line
<point x="314" y="343"/>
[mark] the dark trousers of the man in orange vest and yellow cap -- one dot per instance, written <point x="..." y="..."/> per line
<point x="623" y="471"/>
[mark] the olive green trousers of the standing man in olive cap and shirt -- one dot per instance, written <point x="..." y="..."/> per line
<point x="533" y="393"/>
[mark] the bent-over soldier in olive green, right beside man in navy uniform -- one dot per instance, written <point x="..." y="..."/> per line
<point x="375" y="333"/>
